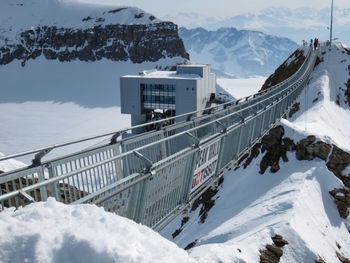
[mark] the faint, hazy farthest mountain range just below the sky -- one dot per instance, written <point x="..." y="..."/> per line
<point x="298" y="24"/>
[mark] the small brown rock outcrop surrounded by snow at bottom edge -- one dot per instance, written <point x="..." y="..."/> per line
<point x="273" y="253"/>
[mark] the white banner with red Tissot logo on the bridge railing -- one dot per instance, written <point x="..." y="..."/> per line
<point x="206" y="164"/>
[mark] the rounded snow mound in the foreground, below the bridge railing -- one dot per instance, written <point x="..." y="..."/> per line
<point x="54" y="232"/>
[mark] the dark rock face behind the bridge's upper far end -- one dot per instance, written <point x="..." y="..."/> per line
<point x="287" y="69"/>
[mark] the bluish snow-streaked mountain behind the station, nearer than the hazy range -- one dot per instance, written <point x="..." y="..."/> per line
<point x="239" y="53"/>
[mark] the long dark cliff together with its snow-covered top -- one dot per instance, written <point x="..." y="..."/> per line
<point x="65" y="30"/>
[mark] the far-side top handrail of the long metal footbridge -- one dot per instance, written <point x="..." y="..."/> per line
<point x="240" y="102"/>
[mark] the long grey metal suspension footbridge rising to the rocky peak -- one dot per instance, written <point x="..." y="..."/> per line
<point x="152" y="177"/>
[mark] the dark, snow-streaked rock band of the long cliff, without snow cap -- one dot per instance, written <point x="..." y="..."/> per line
<point x="138" y="43"/>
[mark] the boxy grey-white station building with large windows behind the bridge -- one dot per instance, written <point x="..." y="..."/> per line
<point x="167" y="93"/>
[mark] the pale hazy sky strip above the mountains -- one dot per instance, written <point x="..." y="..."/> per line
<point x="218" y="8"/>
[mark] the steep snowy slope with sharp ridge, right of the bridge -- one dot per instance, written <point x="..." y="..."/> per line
<point x="250" y="208"/>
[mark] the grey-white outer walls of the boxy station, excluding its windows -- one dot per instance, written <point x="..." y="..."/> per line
<point x="191" y="94"/>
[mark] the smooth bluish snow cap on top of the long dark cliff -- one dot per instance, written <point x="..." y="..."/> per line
<point x="19" y="15"/>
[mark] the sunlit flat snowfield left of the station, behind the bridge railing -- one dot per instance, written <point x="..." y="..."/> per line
<point x="31" y="125"/>
